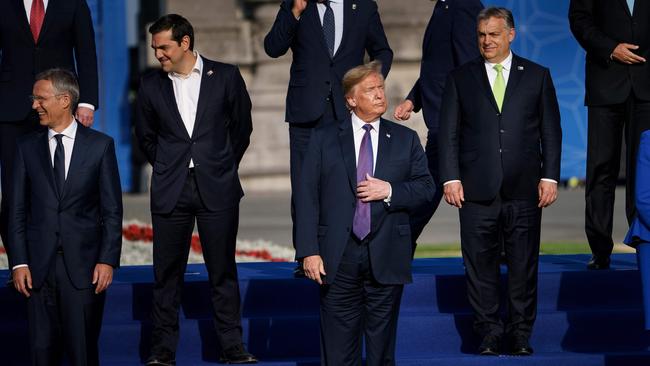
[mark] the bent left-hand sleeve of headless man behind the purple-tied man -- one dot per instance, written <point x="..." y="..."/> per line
<point x="280" y="37"/>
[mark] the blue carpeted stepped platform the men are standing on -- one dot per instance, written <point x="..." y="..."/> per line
<point x="585" y="317"/>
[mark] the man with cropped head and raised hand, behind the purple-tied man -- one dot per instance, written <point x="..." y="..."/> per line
<point x="327" y="38"/>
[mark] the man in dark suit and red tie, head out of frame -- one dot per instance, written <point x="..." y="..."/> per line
<point x="37" y="35"/>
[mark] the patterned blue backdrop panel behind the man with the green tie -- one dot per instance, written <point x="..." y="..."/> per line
<point x="543" y="36"/>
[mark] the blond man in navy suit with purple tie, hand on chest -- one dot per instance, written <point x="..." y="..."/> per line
<point x="358" y="183"/>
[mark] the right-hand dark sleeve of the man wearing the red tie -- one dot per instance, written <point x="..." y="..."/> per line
<point x="86" y="55"/>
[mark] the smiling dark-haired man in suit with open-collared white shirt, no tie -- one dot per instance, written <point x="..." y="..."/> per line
<point x="194" y="124"/>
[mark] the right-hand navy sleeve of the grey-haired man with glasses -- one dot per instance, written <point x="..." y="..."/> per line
<point x="110" y="192"/>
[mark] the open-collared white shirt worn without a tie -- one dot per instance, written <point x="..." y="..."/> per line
<point x="186" y="93"/>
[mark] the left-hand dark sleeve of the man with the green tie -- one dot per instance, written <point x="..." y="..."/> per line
<point x="449" y="132"/>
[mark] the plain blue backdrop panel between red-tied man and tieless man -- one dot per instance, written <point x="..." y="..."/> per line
<point x="112" y="118"/>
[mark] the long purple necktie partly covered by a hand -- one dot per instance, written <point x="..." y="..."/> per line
<point x="361" y="222"/>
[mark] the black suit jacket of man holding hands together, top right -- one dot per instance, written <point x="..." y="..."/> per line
<point x="600" y="25"/>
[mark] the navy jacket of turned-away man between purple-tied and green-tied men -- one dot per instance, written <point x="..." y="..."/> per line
<point x="449" y="41"/>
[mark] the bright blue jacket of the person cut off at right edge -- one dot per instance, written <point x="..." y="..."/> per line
<point x="639" y="231"/>
